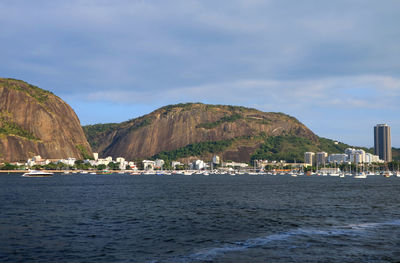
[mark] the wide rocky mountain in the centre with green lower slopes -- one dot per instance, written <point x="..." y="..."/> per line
<point x="200" y="130"/>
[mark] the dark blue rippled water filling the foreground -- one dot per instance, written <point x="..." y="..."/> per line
<point x="124" y="218"/>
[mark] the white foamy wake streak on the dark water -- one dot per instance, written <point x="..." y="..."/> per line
<point x="352" y="229"/>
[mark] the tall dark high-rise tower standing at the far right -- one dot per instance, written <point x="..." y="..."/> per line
<point x="382" y="142"/>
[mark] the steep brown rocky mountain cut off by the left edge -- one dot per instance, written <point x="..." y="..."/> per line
<point x="34" y="121"/>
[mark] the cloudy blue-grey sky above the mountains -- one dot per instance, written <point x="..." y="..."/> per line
<point x="334" y="65"/>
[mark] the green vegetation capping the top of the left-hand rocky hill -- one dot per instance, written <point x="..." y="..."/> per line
<point x="35" y="92"/>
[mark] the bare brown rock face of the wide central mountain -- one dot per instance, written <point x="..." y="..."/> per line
<point x="176" y="126"/>
